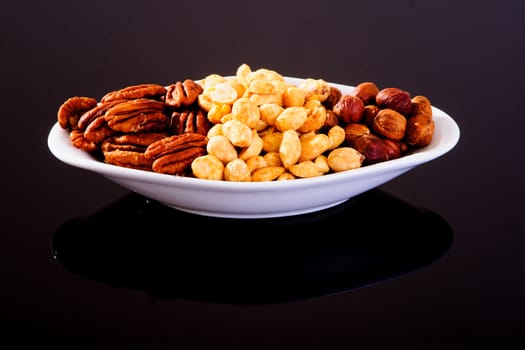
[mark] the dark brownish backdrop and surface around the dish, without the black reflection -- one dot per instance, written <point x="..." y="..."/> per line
<point x="467" y="56"/>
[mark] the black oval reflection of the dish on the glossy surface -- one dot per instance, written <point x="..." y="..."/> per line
<point x="140" y="244"/>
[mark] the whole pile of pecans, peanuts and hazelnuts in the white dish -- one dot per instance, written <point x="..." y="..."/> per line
<point x="253" y="126"/>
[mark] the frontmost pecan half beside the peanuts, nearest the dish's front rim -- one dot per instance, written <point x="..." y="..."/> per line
<point x="174" y="154"/>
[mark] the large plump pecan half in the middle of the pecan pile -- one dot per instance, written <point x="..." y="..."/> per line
<point x="137" y="115"/>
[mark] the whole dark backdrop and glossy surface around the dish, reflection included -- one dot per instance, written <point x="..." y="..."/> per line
<point x="430" y="260"/>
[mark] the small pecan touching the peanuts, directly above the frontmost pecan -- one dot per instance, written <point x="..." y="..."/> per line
<point x="190" y="120"/>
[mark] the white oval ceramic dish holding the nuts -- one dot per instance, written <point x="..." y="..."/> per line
<point x="258" y="199"/>
